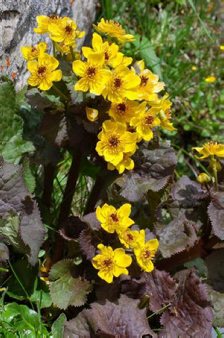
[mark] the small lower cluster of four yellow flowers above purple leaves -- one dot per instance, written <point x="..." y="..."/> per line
<point x="111" y="262"/>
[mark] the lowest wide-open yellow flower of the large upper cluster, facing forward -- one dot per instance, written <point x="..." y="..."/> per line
<point x="115" y="140"/>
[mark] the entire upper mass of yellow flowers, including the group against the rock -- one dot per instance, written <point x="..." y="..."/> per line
<point x="130" y="89"/>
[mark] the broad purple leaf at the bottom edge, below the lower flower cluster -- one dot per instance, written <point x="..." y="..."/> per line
<point x="122" y="319"/>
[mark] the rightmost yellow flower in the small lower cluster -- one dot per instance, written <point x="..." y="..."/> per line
<point x="145" y="252"/>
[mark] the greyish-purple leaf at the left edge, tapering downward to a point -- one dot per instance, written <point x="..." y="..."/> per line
<point x="20" y="211"/>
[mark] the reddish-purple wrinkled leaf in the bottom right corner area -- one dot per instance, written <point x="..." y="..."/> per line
<point x="190" y="311"/>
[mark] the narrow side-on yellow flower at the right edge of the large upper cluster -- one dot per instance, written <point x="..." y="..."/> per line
<point x="162" y="106"/>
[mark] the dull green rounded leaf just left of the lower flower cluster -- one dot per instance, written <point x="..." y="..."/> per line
<point x="64" y="289"/>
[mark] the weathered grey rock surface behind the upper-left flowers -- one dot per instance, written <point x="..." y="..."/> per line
<point x="17" y="20"/>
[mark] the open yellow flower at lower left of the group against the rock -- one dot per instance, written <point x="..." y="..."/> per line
<point x="43" y="72"/>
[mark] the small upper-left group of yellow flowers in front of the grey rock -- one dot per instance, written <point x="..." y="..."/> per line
<point x="42" y="66"/>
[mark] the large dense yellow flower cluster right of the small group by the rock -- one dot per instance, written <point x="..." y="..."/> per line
<point x="132" y="90"/>
